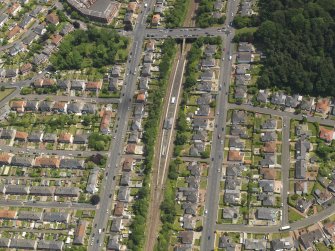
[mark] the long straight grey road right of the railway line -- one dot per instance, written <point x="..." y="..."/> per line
<point x="213" y="188"/>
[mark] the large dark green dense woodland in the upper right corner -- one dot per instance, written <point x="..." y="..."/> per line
<point x="298" y="37"/>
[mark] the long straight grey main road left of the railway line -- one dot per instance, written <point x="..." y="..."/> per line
<point x="128" y="90"/>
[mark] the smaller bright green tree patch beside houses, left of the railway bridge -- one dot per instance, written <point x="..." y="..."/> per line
<point x="92" y="48"/>
